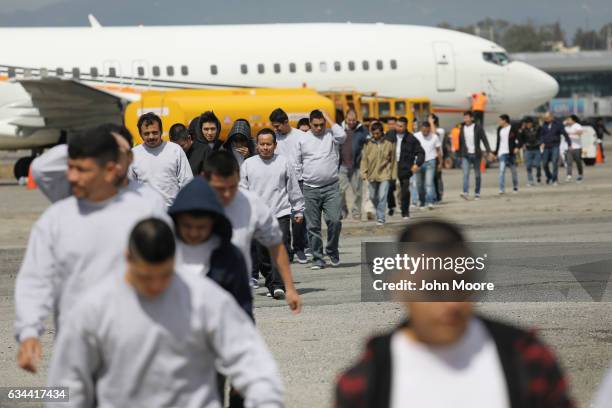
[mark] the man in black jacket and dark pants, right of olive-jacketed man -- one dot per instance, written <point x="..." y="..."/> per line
<point x="397" y="136"/>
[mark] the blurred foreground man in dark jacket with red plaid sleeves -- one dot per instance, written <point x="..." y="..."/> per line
<point x="444" y="354"/>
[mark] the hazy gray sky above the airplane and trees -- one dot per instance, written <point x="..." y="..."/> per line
<point x="572" y="14"/>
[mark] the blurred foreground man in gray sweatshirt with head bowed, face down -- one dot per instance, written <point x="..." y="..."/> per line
<point x="148" y="337"/>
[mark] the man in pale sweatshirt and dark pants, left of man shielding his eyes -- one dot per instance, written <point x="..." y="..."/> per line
<point x="272" y="177"/>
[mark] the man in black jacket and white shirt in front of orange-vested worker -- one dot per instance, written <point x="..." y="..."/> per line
<point x="471" y="136"/>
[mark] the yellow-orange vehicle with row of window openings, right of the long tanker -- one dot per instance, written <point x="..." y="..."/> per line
<point x="370" y="106"/>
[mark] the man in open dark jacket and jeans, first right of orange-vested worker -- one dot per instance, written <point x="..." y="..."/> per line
<point x="506" y="148"/>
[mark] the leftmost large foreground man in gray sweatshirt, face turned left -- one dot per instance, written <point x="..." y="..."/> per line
<point x="77" y="241"/>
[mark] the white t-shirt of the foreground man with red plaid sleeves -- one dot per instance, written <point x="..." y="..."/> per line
<point x="465" y="375"/>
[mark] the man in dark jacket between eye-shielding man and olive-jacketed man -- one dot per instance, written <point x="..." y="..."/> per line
<point x="350" y="159"/>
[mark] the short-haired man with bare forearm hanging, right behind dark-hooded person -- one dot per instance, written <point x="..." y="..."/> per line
<point x="251" y="218"/>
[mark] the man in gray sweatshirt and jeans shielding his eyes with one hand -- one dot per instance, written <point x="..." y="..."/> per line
<point x="317" y="162"/>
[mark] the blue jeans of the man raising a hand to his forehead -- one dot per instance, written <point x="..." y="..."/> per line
<point x="324" y="200"/>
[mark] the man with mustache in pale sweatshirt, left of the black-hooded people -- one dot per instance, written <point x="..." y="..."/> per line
<point x="160" y="164"/>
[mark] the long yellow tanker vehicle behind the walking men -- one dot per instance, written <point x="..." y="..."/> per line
<point x="254" y="105"/>
